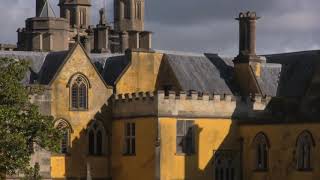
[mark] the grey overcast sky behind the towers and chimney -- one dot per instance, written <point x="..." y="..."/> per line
<point x="202" y="25"/>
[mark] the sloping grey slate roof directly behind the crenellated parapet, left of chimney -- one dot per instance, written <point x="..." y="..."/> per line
<point x="198" y="73"/>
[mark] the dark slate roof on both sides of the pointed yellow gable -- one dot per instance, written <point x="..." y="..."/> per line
<point x="43" y="66"/>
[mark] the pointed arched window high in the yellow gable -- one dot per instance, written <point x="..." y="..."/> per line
<point x="79" y="93"/>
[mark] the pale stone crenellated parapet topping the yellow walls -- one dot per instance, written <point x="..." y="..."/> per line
<point x="187" y="105"/>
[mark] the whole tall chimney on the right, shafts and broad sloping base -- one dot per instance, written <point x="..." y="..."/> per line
<point x="247" y="65"/>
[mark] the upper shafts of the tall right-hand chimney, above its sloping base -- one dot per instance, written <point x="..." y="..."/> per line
<point x="247" y="37"/>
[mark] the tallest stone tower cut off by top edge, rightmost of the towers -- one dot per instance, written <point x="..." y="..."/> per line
<point x="129" y="15"/>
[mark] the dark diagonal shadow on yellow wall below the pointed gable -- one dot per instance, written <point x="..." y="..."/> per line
<point x="88" y="155"/>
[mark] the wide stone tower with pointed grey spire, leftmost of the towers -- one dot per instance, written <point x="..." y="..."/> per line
<point x="45" y="32"/>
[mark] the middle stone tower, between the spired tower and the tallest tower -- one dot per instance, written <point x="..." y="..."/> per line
<point x="77" y="12"/>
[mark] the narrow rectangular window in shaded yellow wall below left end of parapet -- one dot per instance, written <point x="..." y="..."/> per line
<point x="130" y="139"/>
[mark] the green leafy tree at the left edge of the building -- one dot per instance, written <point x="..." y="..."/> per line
<point x="21" y="124"/>
